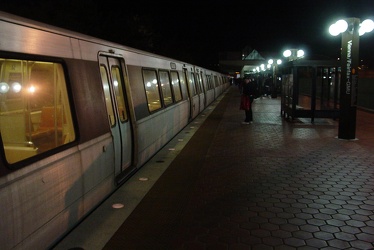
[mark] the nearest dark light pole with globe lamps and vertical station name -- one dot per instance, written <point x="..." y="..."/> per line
<point x="350" y="29"/>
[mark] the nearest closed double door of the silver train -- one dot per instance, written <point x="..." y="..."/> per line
<point x="113" y="80"/>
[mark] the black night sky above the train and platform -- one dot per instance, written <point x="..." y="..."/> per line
<point x="197" y="31"/>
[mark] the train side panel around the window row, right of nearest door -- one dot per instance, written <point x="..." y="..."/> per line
<point x="167" y="121"/>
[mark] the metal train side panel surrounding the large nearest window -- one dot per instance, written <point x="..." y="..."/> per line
<point x="50" y="195"/>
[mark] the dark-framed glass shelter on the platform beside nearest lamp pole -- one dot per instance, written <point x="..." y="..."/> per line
<point x="310" y="89"/>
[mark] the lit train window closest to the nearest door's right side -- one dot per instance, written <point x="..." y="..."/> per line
<point x="151" y="89"/>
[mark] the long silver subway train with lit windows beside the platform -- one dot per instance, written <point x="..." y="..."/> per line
<point x="79" y="115"/>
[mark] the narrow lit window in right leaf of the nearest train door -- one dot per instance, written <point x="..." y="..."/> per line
<point x="118" y="84"/>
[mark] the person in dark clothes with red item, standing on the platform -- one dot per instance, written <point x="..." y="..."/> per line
<point x="248" y="91"/>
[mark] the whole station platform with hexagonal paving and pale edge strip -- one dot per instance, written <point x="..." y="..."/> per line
<point x="221" y="184"/>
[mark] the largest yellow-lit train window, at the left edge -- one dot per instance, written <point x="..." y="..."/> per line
<point x="34" y="108"/>
